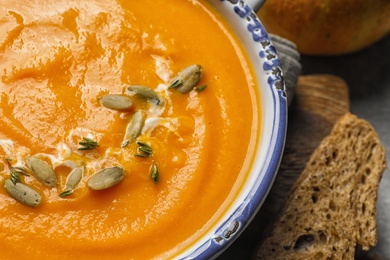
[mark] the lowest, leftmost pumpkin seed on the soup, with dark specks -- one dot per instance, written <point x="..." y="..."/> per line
<point x="23" y="193"/>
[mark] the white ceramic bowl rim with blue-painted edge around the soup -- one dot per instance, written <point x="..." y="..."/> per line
<point x="273" y="102"/>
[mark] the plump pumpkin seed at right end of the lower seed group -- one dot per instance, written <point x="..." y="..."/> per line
<point x="106" y="178"/>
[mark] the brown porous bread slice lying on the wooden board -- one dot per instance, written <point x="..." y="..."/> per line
<point x="332" y="206"/>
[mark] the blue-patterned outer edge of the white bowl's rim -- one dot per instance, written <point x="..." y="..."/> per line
<point x="268" y="60"/>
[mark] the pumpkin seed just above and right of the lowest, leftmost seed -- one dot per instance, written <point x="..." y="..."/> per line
<point x="42" y="171"/>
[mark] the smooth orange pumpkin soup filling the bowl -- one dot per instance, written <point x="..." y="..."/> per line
<point x="58" y="59"/>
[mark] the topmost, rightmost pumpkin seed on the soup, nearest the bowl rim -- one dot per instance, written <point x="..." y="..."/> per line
<point x="187" y="79"/>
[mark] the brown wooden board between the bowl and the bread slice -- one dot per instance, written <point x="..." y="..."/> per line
<point x="319" y="101"/>
